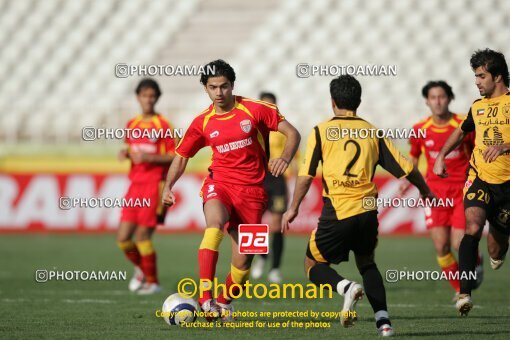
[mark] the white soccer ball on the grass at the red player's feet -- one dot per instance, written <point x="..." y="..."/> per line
<point x="177" y="309"/>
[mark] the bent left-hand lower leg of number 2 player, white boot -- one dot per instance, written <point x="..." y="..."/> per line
<point x="322" y="274"/>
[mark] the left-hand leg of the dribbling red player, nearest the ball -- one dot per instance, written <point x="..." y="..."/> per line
<point x="216" y="216"/>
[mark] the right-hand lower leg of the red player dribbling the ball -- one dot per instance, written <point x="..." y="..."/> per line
<point x="236" y="278"/>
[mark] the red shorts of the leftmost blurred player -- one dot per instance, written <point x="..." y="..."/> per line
<point x="146" y="216"/>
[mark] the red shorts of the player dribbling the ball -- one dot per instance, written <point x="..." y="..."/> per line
<point x="245" y="204"/>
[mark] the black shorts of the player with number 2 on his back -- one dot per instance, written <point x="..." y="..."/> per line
<point x="332" y="241"/>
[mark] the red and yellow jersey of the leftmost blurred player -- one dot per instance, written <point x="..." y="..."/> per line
<point x="145" y="172"/>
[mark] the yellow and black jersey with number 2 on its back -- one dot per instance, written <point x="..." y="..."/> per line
<point x="348" y="164"/>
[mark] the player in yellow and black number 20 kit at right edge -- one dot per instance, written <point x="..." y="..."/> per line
<point x="487" y="189"/>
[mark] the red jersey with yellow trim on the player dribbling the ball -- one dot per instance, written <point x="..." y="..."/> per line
<point x="239" y="140"/>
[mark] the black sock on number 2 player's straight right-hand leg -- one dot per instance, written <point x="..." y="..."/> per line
<point x="374" y="288"/>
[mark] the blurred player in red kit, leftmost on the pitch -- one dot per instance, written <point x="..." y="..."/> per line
<point x="150" y="155"/>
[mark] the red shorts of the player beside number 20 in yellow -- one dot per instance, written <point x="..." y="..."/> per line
<point x="447" y="217"/>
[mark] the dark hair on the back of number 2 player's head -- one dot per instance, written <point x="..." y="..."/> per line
<point x="346" y="92"/>
